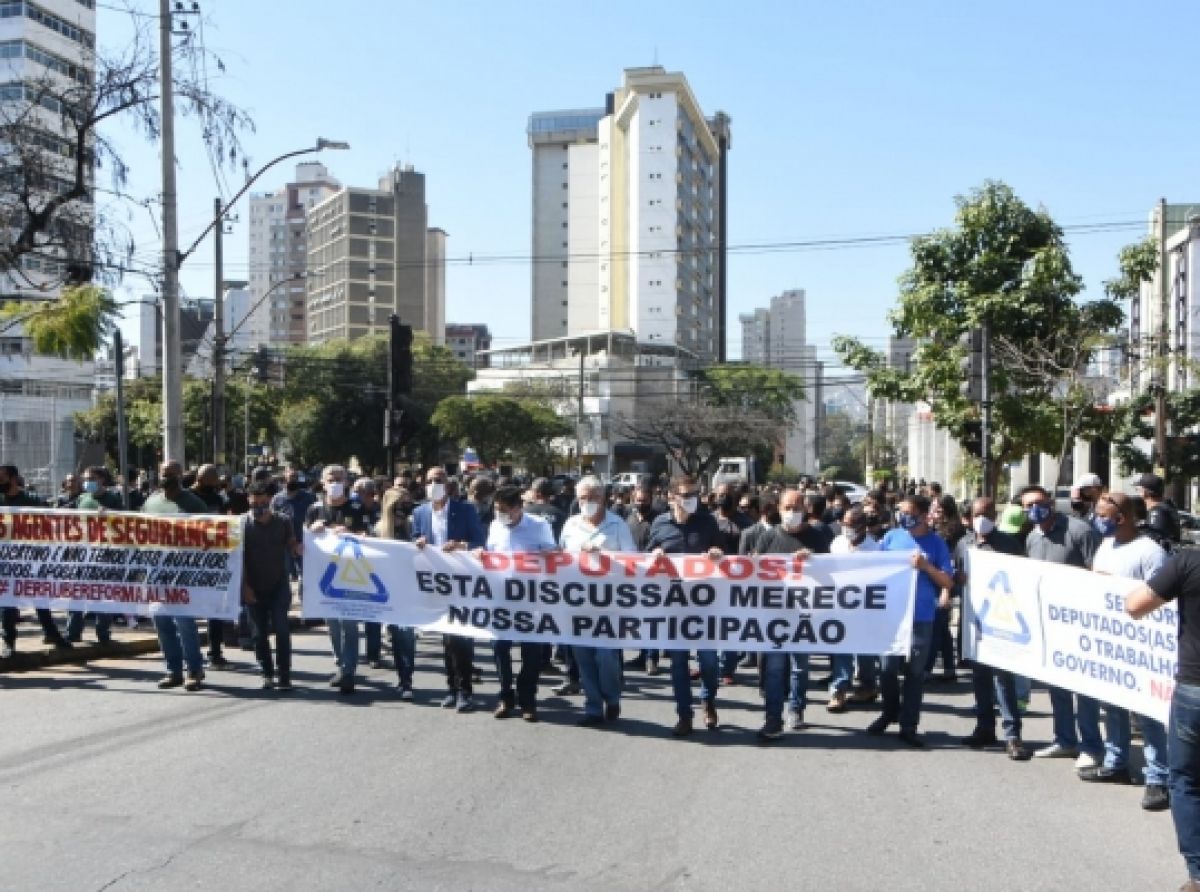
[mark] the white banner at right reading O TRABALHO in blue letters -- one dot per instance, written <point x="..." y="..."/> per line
<point x="1067" y="627"/>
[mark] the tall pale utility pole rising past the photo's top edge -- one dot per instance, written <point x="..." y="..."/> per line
<point x="172" y="376"/>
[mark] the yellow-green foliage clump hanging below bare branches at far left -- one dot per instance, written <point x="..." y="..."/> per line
<point x="74" y="326"/>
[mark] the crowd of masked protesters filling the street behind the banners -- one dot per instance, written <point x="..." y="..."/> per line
<point x="1133" y="536"/>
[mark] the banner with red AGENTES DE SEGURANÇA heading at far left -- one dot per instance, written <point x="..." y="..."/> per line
<point x="117" y="562"/>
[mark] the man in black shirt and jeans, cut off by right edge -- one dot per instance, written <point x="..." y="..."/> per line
<point x="1179" y="583"/>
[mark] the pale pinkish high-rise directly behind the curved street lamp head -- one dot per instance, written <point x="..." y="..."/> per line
<point x="279" y="255"/>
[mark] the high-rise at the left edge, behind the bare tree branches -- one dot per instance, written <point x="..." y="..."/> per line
<point x="51" y="43"/>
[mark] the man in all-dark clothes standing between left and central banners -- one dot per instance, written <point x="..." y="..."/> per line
<point x="268" y="542"/>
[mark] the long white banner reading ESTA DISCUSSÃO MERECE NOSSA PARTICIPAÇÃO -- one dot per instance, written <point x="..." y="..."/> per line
<point x="829" y="604"/>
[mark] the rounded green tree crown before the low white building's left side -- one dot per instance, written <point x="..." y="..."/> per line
<point x="499" y="427"/>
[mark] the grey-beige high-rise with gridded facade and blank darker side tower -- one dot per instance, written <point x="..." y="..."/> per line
<point x="370" y="256"/>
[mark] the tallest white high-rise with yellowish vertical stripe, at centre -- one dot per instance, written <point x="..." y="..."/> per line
<point x="629" y="223"/>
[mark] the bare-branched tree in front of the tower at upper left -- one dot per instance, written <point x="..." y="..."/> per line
<point x="57" y="135"/>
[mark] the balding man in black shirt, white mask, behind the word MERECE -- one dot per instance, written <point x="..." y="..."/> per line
<point x="794" y="536"/>
